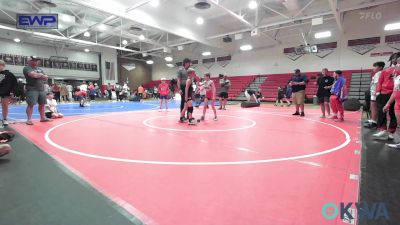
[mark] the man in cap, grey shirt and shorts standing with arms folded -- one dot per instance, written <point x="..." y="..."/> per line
<point x="35" y="94"/>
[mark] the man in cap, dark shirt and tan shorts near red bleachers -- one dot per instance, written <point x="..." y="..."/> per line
<point x="298" y="83"/>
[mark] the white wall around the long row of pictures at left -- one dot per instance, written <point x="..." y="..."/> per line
<point x="26" y="49"/>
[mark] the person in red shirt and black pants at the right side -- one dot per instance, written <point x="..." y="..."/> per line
<point x="384" y="90"/>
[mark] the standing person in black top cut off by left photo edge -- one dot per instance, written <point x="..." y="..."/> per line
<point x="8" y="86"/>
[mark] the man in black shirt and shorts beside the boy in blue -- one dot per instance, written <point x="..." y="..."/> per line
<point x="324" y="83"/>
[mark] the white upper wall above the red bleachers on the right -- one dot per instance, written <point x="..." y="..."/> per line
<point x="269" y="61"/>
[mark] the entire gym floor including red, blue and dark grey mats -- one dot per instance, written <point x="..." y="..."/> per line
<point x="127" y="163"/>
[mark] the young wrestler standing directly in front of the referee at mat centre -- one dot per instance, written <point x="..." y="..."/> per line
<point x="188" y="98"/>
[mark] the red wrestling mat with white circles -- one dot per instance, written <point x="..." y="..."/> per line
<point x="254" y="166"/>
